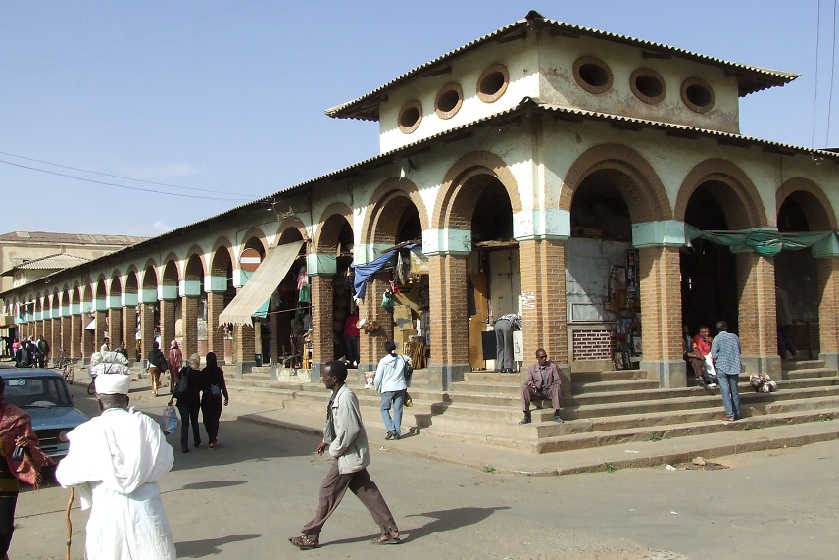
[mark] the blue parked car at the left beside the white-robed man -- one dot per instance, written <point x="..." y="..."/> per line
<point x="45" y="395"/>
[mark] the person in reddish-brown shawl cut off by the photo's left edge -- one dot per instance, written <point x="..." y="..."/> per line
<point x="15" y="432"/>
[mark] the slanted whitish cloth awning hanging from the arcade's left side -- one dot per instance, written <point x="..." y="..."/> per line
<point x="259" y="287"/>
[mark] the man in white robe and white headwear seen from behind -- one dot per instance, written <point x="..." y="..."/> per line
<point x="115" y="461"/>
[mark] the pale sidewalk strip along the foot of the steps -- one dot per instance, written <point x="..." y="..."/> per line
<point x="633" y="454"/>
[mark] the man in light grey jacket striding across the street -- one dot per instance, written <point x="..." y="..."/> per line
<point x="345" y="439"/>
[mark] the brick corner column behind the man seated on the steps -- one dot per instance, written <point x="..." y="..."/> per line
<point x="543" y="300"/>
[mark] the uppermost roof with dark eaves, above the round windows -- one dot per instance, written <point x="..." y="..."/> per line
<point x="750" y="78"/>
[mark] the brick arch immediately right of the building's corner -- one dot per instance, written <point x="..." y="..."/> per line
<point x="642" y="190"/>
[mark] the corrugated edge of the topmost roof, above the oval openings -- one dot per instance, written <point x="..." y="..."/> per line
<point x="768" y="77"/>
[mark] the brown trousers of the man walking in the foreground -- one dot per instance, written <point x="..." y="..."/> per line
<point x="332" y="491"/>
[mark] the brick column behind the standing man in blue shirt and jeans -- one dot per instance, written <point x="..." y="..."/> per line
<point x="758" y="330"/>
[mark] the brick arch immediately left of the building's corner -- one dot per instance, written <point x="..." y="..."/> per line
<point x="452" y="209"/>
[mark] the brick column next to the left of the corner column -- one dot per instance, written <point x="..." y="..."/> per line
<point x="449" y="318"/>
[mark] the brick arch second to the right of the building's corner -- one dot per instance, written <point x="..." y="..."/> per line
<point x="741" y="205"/>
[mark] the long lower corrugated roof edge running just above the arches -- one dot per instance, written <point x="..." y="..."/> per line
<point x="526" y="104"/>
